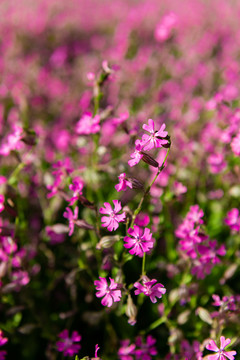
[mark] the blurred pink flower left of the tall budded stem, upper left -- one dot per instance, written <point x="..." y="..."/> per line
<point x="88" y="124"/>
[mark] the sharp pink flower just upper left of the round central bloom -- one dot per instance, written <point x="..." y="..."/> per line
<point x="111" y="222"/>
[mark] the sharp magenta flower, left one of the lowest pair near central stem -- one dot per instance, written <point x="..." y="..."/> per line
<point x="109" y="293"/>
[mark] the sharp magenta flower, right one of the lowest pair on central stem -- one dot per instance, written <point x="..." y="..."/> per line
<point x="149" y="289"/>
